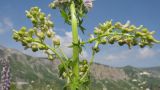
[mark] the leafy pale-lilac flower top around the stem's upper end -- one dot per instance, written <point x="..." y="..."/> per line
<point x="82" y="7"/>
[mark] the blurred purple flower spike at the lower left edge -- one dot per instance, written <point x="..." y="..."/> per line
<point x="5" y="74"/>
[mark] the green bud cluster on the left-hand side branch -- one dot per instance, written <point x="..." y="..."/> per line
<point x="34" y="38"/>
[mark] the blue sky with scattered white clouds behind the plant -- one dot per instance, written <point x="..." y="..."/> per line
<point x="138" y="12"/>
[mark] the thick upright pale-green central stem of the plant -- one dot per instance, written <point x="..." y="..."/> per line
<point x="75" y="47"/>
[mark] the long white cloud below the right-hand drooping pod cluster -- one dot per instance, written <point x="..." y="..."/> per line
<point x="139" y="54"/>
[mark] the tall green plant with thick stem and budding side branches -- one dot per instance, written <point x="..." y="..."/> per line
<point x="76" y="71"/>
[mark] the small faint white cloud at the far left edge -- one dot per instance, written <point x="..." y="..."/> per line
<point x="5" y="25"/>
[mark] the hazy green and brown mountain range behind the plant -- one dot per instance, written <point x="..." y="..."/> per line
<point x="33" y="73"/>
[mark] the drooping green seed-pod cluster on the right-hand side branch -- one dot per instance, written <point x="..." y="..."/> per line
<point x="108" y="33"/>
